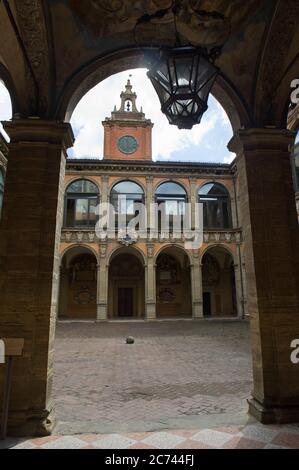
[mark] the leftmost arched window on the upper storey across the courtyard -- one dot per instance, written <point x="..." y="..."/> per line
<point x="82" y="197"/>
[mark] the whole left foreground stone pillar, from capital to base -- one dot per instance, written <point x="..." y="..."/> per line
<point x="29" y="265"/>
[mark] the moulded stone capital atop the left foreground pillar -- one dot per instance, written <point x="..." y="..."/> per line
<point x="40" y="131"/>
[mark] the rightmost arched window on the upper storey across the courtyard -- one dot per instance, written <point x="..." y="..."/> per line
<point x="216" y="206"/>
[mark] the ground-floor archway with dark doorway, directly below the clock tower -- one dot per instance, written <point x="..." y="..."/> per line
<point x="126" y="288"/>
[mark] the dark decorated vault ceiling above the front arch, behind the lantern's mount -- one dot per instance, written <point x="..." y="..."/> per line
<point x="202" y="22"/>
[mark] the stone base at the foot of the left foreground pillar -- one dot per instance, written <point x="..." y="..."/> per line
<point x="31" y="423"/>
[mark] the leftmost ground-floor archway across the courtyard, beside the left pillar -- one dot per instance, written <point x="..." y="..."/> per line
<point x="78" y="285"/>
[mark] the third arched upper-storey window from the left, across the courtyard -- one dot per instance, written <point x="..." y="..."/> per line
<point x="172" y="196"/>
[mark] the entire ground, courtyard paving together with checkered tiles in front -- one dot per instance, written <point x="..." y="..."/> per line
<point x="182" y="385"/>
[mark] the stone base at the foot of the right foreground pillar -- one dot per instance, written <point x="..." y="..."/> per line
<point x="273" y="414"/>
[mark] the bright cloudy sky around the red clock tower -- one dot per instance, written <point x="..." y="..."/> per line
<point x="206" y="142"/>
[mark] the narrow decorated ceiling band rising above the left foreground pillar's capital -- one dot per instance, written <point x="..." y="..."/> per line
<point x="33" y="30"/>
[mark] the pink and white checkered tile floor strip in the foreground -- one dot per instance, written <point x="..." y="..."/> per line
<point x="251" y="436"/>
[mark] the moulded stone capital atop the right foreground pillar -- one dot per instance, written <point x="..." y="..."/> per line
<point x="261" y="139"/>
